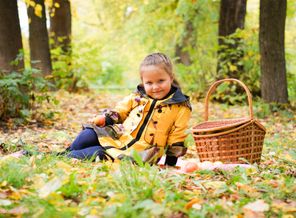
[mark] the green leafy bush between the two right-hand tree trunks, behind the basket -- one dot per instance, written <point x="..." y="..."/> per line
<point x="239" y="58"/>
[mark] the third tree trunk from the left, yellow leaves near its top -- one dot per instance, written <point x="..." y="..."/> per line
<point x="60" y="24"/>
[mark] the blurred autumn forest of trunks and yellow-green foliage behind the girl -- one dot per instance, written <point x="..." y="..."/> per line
<point x="47" y="45"/>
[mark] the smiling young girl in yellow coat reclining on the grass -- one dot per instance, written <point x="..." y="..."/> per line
<point x="151" y="121"/>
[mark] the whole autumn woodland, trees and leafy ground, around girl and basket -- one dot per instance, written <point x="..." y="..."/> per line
<point x="63" y="61"/>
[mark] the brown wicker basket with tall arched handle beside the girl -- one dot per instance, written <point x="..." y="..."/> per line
<point x="229" y="140"/>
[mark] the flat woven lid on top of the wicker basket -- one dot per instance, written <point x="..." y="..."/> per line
<point x="220" y="124"/>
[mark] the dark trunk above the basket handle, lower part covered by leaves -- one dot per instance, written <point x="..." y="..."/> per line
<point x="232" y="17"/>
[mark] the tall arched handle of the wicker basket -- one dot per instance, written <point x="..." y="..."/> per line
<point x="216" y="84"/>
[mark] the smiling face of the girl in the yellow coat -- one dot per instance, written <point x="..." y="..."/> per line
<point x="157" y="82"/>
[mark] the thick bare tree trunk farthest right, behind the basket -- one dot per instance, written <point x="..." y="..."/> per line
<point x="272" y="50"/>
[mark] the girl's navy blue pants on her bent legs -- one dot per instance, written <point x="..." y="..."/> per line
<point x="87" y="146"/>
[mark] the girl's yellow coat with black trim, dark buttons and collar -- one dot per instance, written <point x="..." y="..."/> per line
<point x="150" y="127"/>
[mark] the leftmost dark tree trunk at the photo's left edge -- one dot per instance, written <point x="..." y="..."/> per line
<point x="10" y="36"/>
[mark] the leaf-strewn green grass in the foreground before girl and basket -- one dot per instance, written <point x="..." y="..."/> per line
<point x="127" y="190"/>
